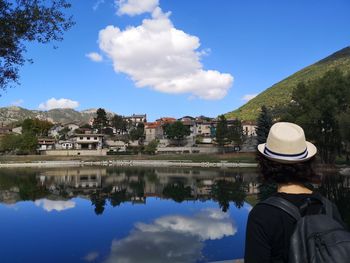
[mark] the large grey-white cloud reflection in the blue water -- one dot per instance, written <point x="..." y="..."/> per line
<point x="172" y="238"/>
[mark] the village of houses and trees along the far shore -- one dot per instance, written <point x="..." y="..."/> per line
<point x="122" y="135"/>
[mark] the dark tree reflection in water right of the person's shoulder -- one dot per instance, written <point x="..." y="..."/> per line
<point x="335" y="188"/>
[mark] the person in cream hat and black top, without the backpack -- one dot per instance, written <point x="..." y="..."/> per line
<point x="287" y="160"/>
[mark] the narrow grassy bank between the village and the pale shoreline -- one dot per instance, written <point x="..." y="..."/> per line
<point x="229" y="157"/>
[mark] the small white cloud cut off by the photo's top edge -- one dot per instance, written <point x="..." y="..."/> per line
<point x="135" y="7"/>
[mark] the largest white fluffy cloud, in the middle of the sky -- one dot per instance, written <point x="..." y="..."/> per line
<point x="157" y="55"/>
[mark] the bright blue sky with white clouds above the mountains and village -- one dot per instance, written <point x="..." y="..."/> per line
<point x="202" y="59"/>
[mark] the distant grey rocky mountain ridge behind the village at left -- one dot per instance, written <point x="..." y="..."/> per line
<point x="14" y="114"/>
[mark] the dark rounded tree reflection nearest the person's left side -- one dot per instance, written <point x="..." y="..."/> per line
<point x="225" y="191"/>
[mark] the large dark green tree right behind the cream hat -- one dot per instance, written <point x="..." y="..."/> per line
<point x="318" y="106"/>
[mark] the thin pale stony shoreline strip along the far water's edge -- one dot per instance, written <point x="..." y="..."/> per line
<point x="128" y="163"/>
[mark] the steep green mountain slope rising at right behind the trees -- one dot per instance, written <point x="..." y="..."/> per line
<point x="281" y="92"/>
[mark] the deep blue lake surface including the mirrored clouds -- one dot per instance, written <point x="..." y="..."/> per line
<point x="158" y="229"/>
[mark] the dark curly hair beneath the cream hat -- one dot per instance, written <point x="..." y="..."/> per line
<point x="284" y="173"/>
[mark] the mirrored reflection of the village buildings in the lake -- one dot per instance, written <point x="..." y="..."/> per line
<point x="140" y="184"/>
